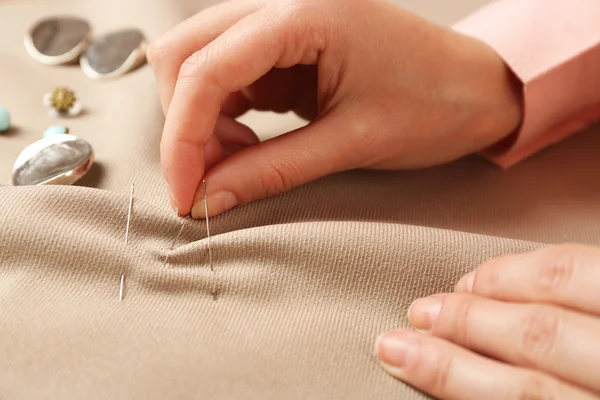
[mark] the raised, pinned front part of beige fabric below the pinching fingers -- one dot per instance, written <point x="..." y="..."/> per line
<point x="298" y="310"/>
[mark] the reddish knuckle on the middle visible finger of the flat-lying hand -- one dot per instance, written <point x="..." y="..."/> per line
<point x="541" y="332"/>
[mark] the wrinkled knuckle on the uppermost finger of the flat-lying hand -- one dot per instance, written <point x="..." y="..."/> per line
<point x="557" y="268"/>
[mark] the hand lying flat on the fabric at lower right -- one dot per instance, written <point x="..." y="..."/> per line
<point x="535" y="315"/>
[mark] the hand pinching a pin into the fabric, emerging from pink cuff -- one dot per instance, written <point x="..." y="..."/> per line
<point x="384" y="89"/>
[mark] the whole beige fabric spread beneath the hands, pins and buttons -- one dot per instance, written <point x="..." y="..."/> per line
<point x="306" y="280"/>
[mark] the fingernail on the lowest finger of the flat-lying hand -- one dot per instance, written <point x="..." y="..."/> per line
<point x="396" y="350"/>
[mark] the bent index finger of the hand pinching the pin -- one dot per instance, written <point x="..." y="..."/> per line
<point x="236" y="59"/>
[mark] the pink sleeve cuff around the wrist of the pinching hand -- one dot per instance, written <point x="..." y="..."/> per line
<point x="553" y="47"/>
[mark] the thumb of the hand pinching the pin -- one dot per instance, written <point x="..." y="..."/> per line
<point x="274" y="166"/>
